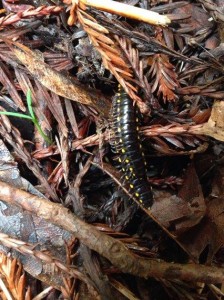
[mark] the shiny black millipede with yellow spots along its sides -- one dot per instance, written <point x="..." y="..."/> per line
<point x="127" y="144"/>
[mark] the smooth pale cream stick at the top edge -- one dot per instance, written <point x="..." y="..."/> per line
<point x="129" y="11"/>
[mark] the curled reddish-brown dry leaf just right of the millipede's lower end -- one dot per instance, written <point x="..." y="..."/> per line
<point x="183" y="211"/>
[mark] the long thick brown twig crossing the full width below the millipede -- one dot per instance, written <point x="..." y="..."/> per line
<point x="113" y="250"/>
